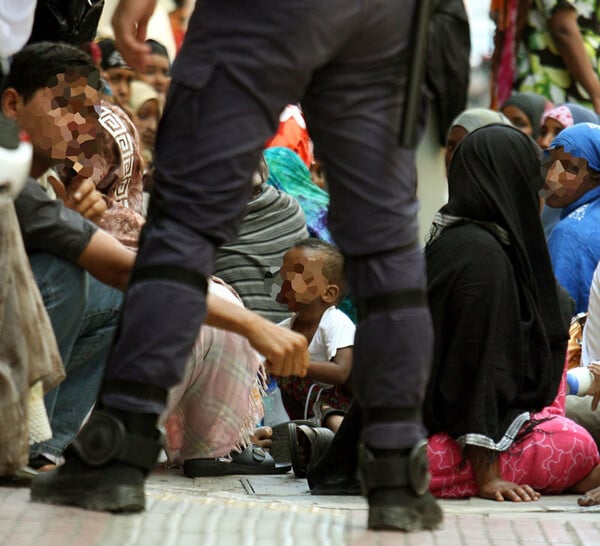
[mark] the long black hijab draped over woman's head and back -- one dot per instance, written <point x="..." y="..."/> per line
<point x="513" y="360"/>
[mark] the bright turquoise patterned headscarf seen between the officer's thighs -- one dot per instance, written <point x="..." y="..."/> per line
<point x="287" y="173"/>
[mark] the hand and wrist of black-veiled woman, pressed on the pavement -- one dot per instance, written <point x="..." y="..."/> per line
<point x="491" y="486"/>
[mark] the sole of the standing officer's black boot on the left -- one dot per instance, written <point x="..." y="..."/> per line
<point x="118" y="499"/>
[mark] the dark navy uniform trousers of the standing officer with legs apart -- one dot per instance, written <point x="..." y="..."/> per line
<point x="241" y="63"/>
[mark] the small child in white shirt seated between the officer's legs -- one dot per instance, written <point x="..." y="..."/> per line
<point x="313" y="283"/>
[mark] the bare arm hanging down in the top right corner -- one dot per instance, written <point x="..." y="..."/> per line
<point x="567" y="37"/>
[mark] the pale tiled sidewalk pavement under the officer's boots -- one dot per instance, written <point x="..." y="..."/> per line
<point x="279" y="511"/>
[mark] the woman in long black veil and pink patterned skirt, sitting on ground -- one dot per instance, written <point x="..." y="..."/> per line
<point x="500" y="335"/>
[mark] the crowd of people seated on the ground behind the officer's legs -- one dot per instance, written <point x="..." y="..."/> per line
<point x="72" y="234"/>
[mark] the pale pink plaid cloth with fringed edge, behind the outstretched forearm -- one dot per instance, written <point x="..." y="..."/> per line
<point x="215" y="408"/>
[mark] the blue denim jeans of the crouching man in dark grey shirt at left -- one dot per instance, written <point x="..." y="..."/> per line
<point x="84" y="314"/>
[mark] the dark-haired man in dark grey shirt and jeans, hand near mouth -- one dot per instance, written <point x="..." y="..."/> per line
<point x="53" y="93"/>
